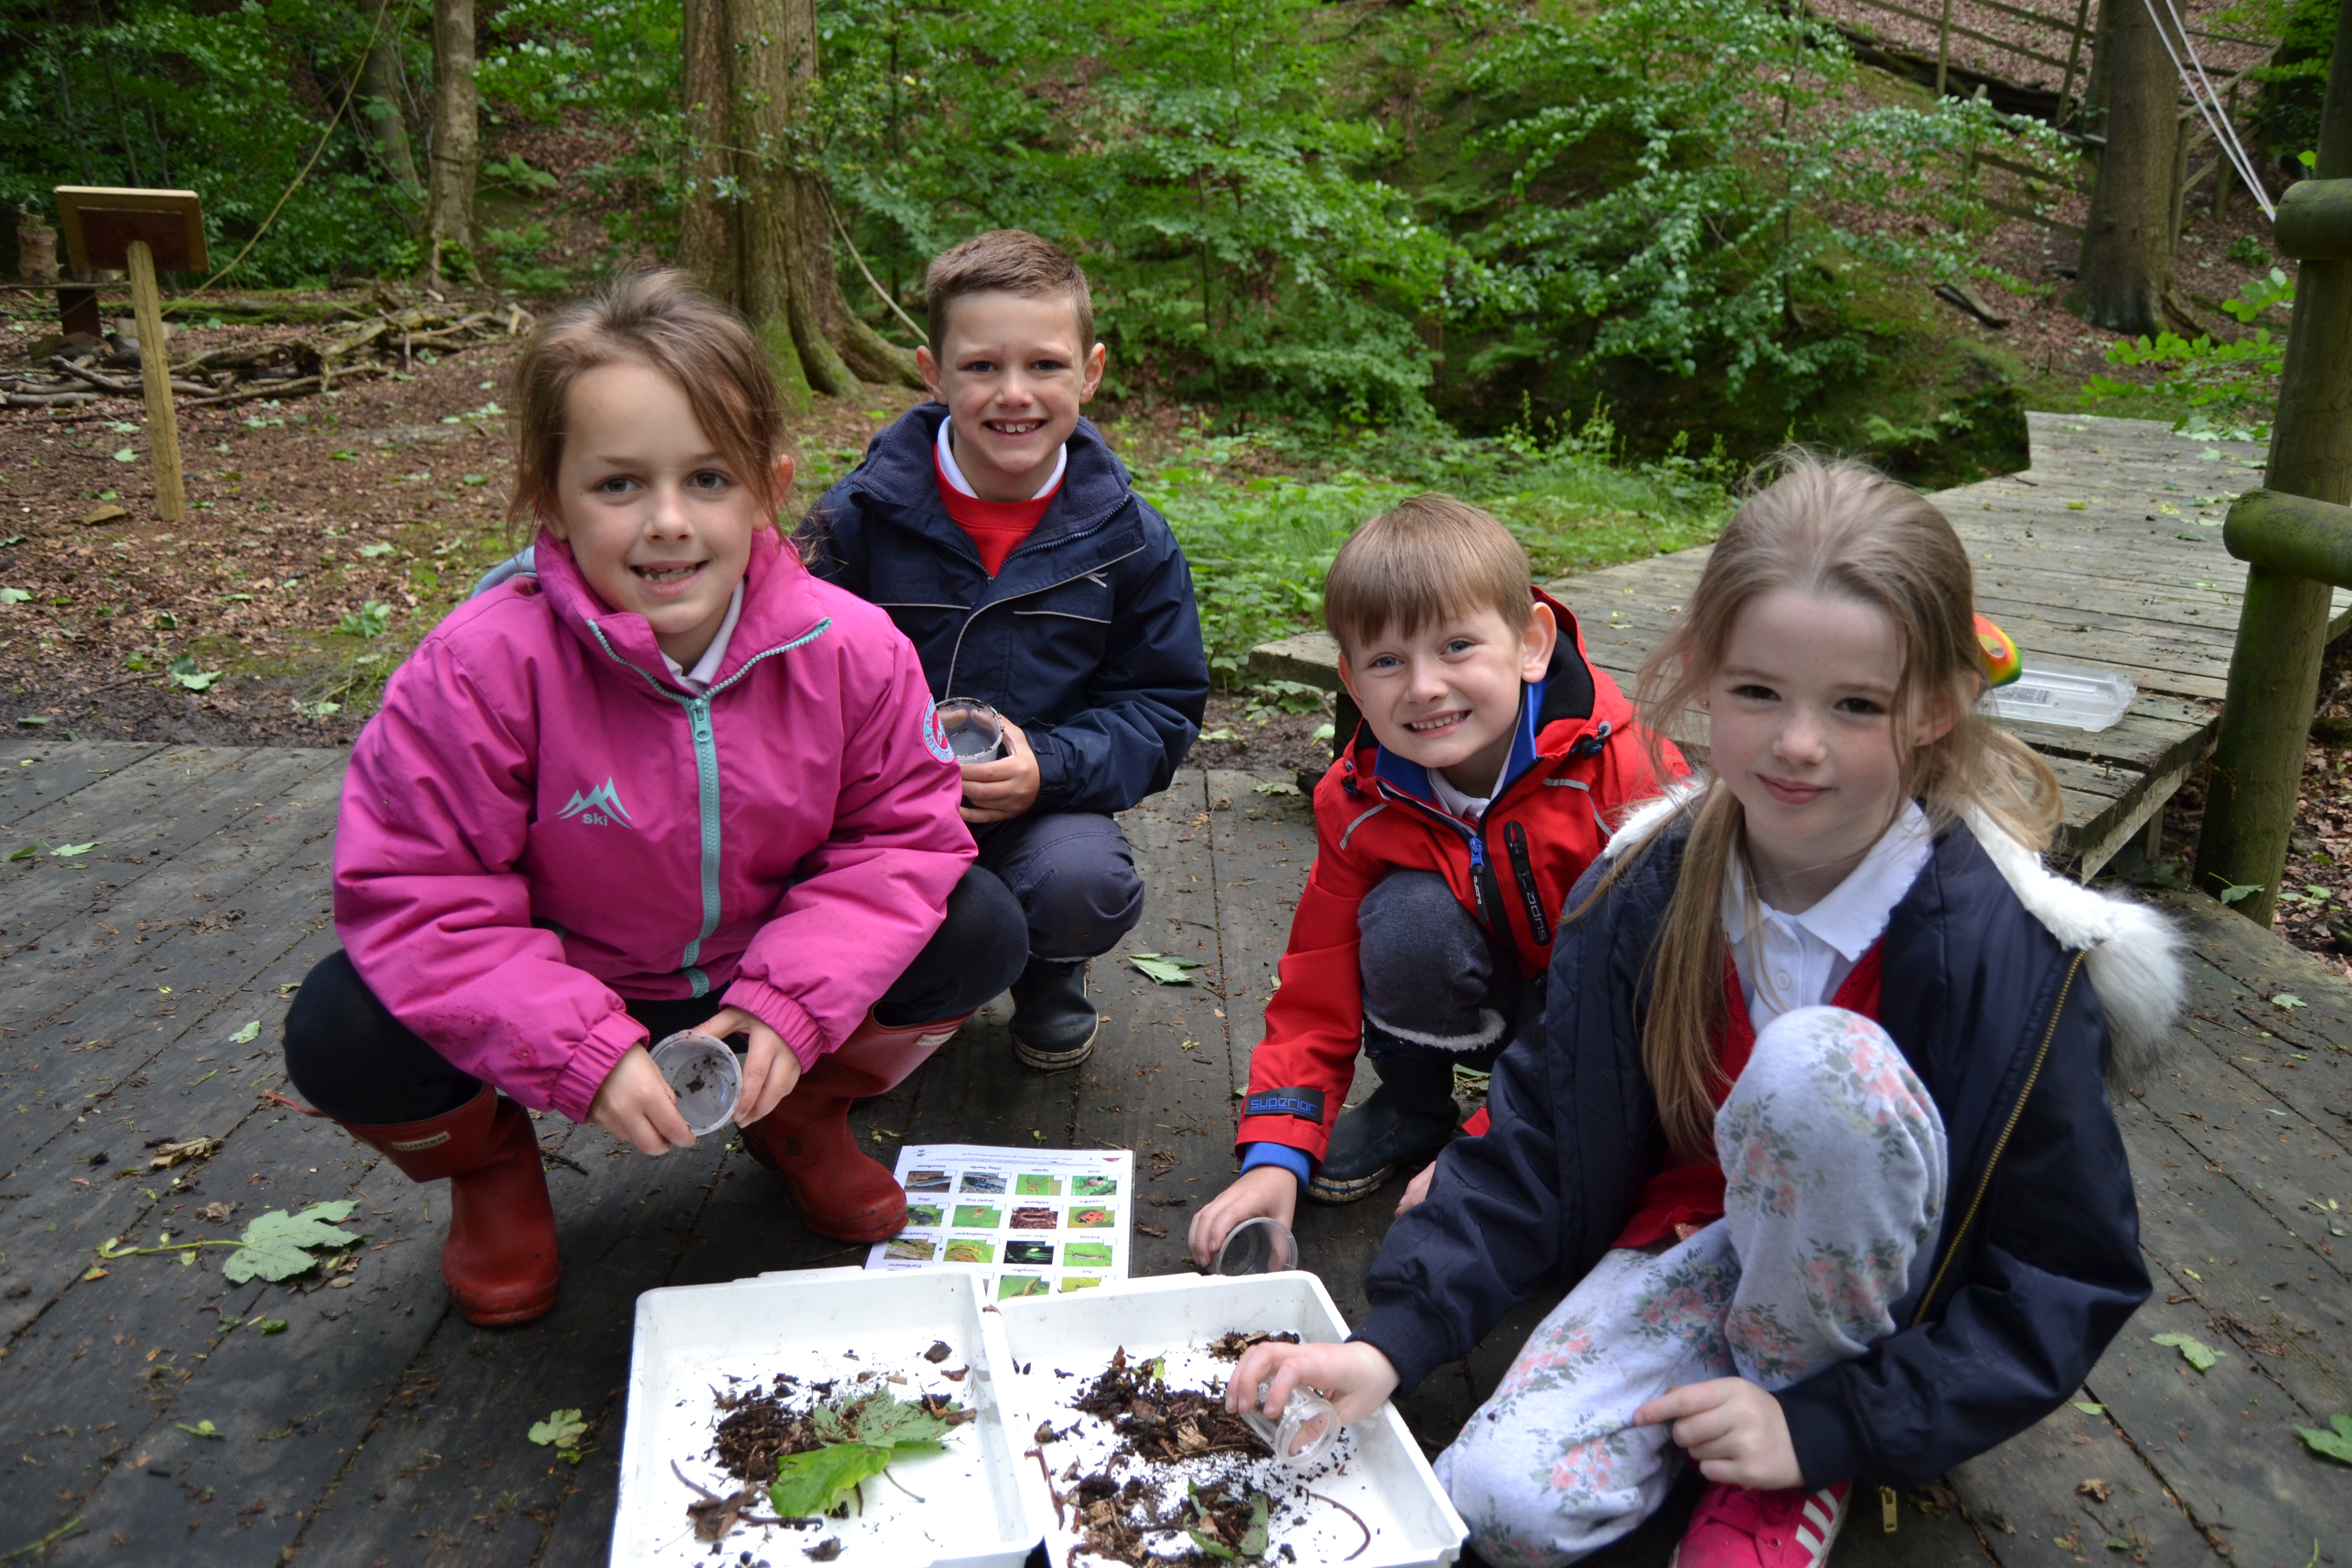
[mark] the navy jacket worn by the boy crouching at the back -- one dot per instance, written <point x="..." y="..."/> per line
<point x="1088" y="638"/>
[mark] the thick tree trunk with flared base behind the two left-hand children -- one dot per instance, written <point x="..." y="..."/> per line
<point x="759" y="222"/>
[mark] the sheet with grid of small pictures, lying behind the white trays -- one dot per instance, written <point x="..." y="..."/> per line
<point x="1031" y="1221"/>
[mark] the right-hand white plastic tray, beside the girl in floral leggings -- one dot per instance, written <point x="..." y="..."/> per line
<point x="1387" y="1480"/>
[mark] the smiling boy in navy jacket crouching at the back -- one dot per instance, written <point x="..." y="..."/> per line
<point x="1008" y="544"/>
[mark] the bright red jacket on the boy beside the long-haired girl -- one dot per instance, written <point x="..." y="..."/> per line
<point x="1577" y="765"/>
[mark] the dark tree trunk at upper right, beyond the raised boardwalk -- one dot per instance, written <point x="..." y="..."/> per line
<point x="2125" y="279"/>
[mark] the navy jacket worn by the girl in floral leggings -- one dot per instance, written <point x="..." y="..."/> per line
<point x="2038" y="1264"/>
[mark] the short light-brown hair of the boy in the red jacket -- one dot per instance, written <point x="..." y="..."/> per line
<point x="1426" y="561"/>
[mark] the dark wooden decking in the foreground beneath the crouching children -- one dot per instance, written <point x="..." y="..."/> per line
<point x="382" y="1430"/>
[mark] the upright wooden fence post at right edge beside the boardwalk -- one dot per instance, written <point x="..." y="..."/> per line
<point x="2285" y="622"/>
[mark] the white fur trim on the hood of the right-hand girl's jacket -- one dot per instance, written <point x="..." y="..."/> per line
<point x="2134" y="953"/>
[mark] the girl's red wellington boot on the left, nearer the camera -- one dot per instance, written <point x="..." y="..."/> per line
<point x="500" y="1257"/>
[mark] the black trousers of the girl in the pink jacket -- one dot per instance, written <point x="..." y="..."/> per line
<point x="359" y="1064"/>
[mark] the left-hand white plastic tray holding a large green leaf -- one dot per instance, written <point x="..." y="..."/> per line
<point x="977" y="1513"/>
